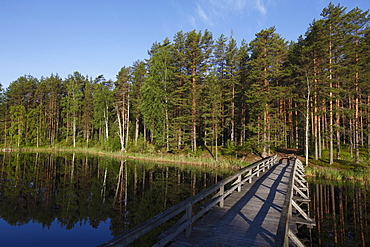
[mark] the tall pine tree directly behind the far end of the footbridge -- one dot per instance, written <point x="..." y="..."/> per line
<point x="266" y="68"/>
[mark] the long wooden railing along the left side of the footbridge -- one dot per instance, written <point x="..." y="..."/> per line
<point x="221" y="191"/>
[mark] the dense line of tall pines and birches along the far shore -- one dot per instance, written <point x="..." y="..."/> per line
<point x="196" y="92"/>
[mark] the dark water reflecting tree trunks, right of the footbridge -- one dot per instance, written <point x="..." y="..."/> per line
<point x="341" y="212"/>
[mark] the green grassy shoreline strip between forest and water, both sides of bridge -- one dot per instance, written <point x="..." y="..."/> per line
<point x="344" y="169"/>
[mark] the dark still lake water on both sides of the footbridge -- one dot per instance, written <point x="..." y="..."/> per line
<point x="70" y="199"/>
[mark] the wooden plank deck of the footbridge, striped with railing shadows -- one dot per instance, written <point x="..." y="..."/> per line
<point x="249" y="218"/>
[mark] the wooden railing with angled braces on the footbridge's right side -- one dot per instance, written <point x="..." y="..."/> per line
<point x="297" y="194"/>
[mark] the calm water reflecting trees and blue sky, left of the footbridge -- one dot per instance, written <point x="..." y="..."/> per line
<point x="79" y="200"/>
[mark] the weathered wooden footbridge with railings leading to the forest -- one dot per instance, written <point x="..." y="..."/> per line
<point x="260" y="205"/>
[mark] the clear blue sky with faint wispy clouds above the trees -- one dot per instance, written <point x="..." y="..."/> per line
<point x="94" y="37"/>
